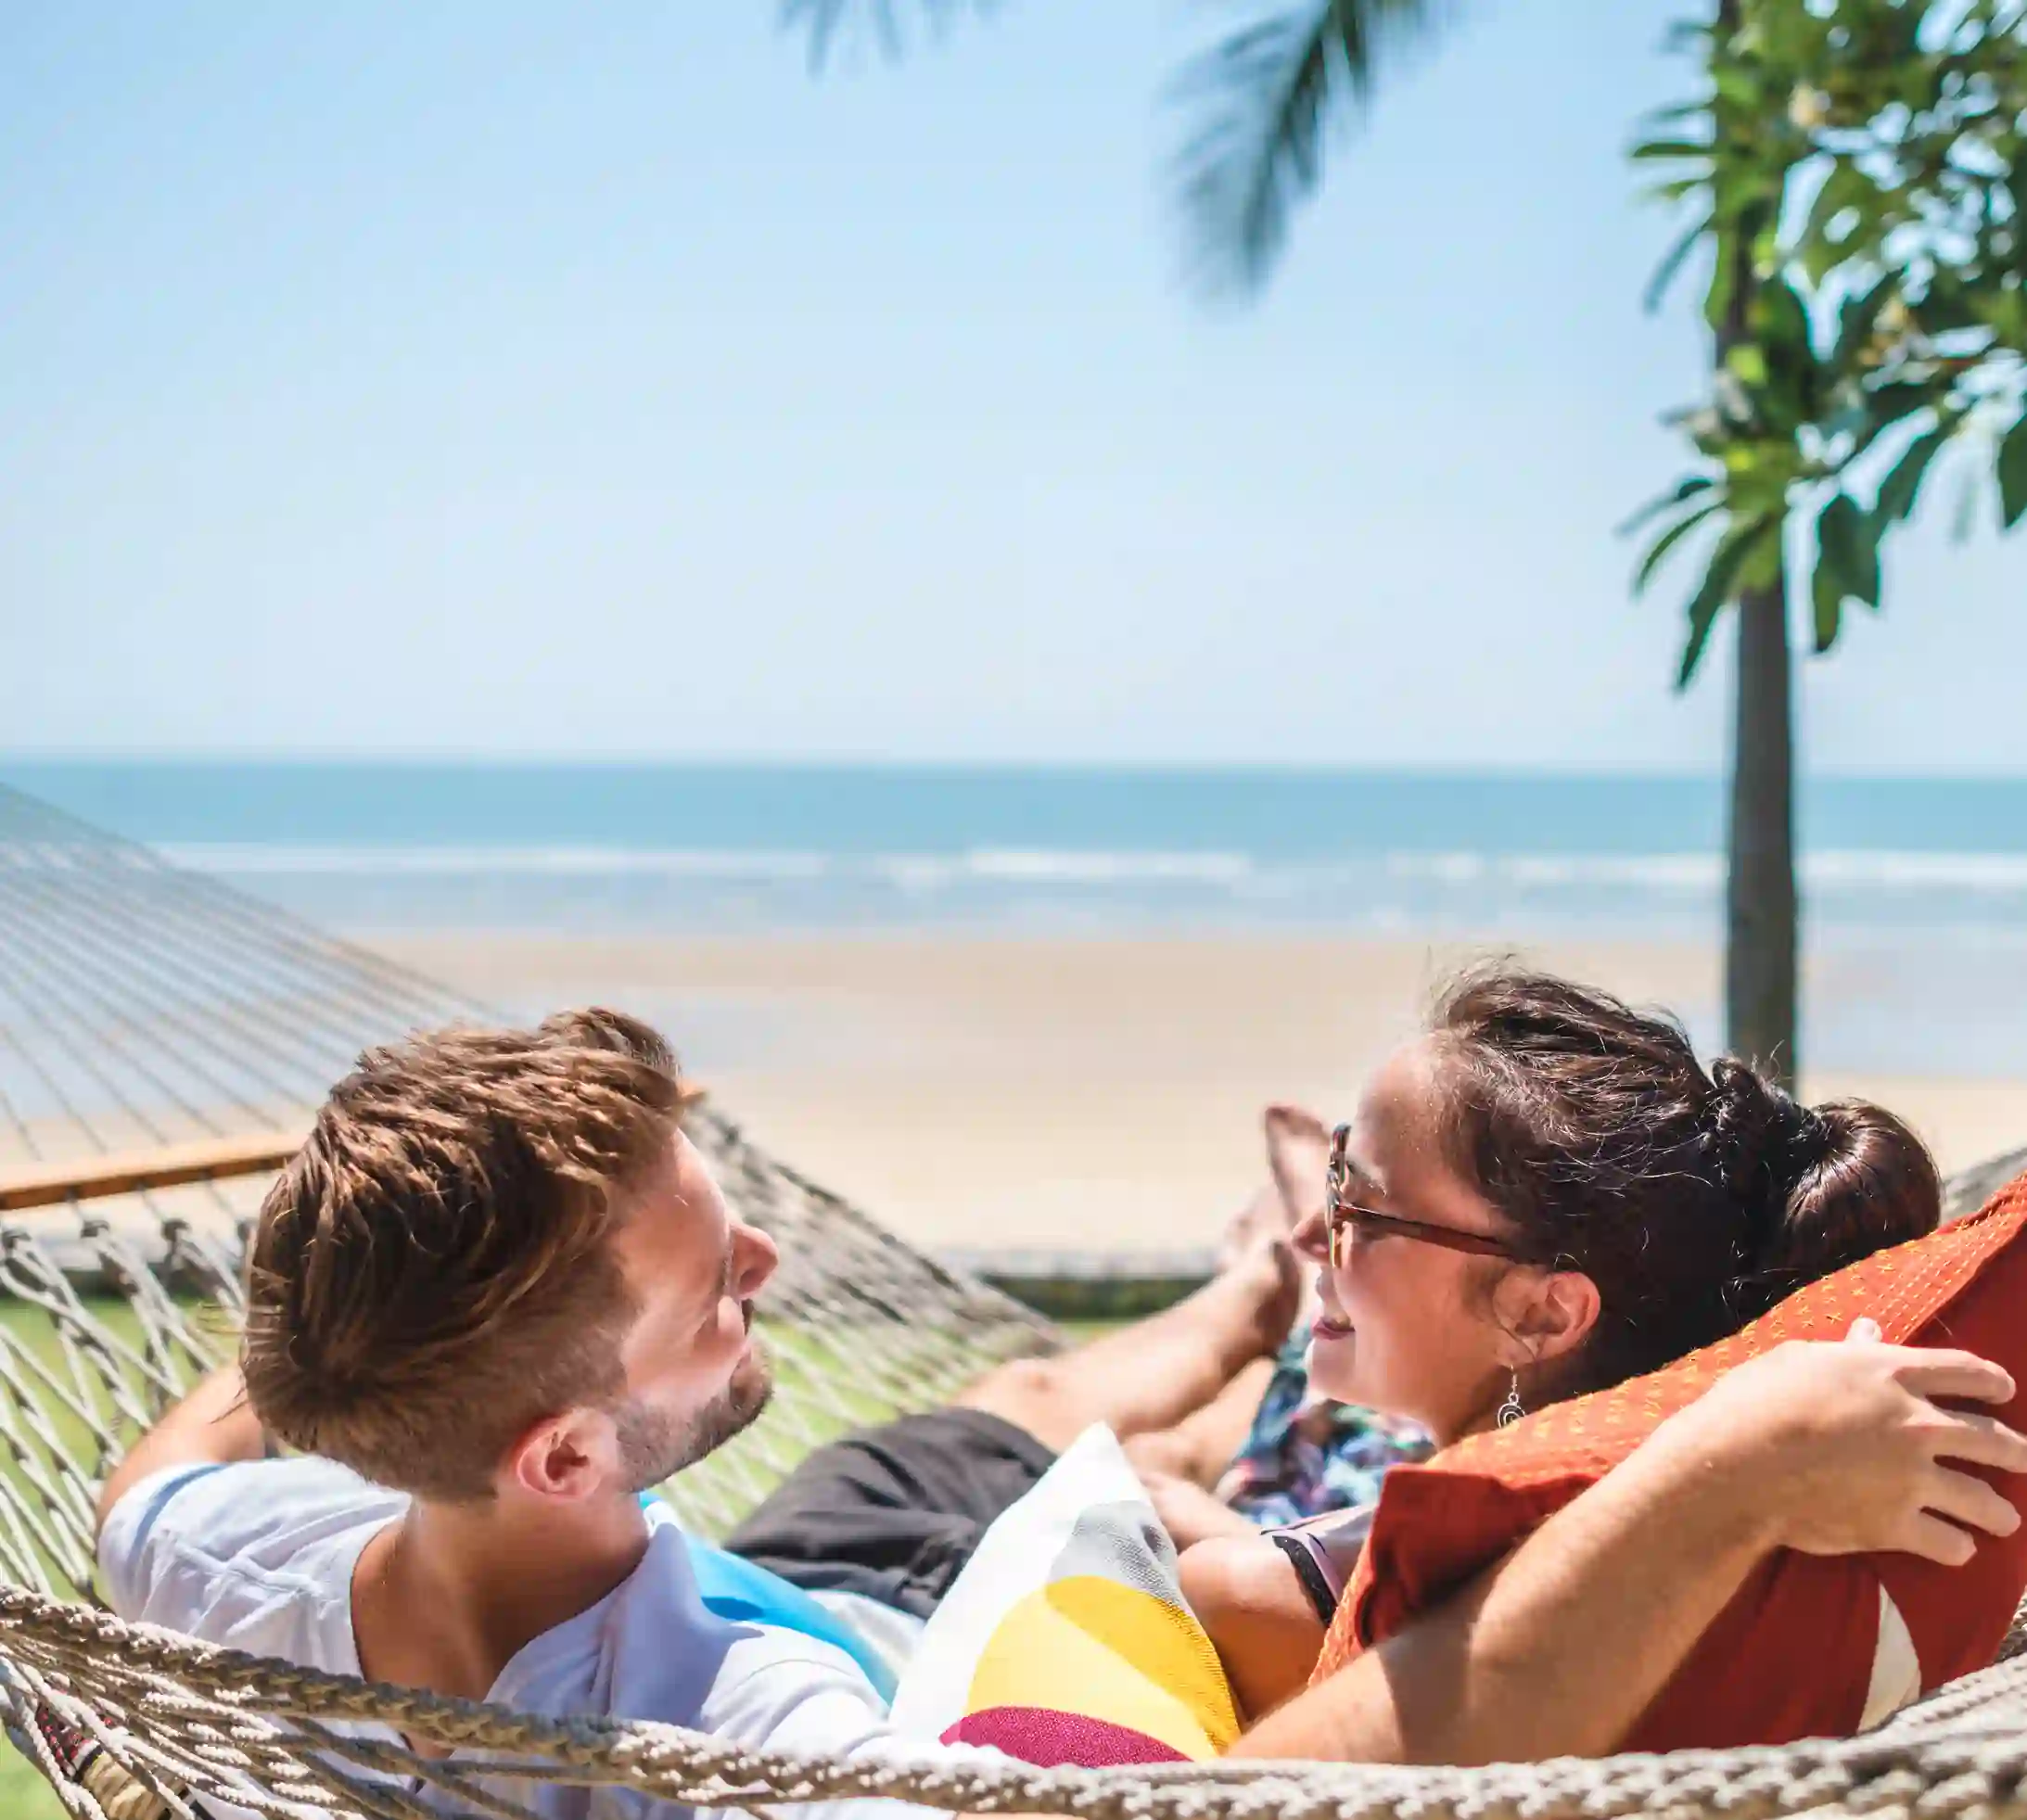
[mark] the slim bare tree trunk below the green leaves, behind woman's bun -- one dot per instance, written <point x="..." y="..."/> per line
<point x="1760" y="901"/>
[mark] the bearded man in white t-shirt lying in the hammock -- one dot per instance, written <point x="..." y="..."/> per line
<point x="498" y="1296"/>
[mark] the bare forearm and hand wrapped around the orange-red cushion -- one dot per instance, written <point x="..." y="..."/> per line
<point x="1560" y="1649"/>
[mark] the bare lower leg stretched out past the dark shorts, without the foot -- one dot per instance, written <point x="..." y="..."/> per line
<point x="1158" y="1373"/>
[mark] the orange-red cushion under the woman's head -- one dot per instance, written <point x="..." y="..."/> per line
<point x="1793" y="1655"/>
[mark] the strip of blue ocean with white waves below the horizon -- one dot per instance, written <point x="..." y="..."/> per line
<point x="739" y="850"/>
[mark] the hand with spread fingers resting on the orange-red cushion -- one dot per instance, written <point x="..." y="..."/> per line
<point x="1854" y="1452"/>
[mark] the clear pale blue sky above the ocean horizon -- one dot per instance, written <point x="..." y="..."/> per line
<point x="558" y="380"/>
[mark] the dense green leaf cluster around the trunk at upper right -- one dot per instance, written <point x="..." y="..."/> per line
<point x="1860" y="167"/>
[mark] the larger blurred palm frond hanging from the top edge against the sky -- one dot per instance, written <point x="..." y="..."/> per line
<point x="1270" y="94"/>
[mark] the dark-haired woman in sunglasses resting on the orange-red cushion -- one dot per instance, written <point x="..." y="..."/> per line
<point x="1544" y="1197"/>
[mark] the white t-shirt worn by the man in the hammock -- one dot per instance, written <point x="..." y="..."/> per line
<point x="260" y="1558"/>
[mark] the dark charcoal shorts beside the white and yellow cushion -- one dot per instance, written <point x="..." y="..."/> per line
<point x="895" y="1513"/>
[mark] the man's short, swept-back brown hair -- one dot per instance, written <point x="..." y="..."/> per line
<point x="433" y="1272"/>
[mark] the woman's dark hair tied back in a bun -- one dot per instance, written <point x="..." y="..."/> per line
<point x="1694" y="1201"/>
